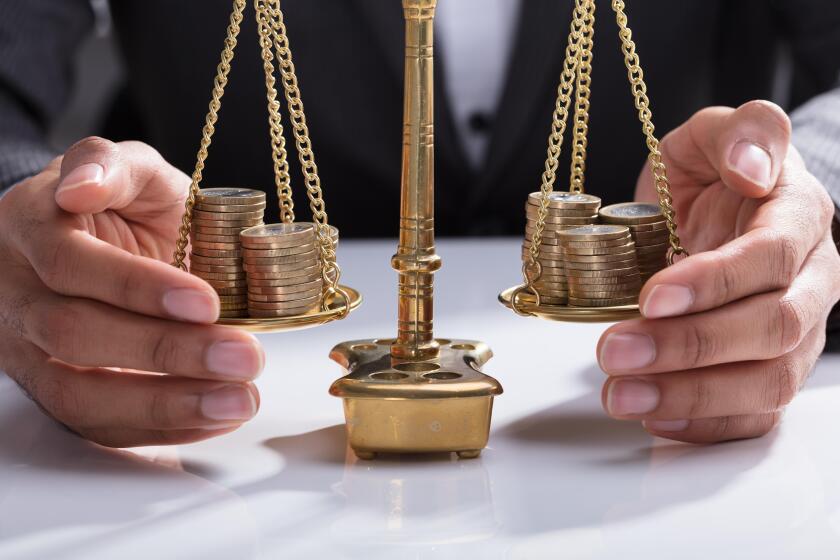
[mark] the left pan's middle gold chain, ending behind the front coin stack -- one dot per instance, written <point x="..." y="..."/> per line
<point x="282" y="180"/>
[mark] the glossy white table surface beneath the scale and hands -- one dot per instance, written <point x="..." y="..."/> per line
<point x="559" y="479"/>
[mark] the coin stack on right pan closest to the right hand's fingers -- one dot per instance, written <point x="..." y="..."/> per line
<point x="648" y="229"/>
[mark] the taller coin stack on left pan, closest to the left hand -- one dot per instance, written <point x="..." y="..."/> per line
<point x="218" y="217"/>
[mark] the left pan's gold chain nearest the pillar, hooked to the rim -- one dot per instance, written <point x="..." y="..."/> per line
<point x="330" y="270"/>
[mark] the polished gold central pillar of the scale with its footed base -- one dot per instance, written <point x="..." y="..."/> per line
<point x="416" y="393"/>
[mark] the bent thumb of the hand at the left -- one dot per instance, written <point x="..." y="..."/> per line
<point x="97" y="175"/>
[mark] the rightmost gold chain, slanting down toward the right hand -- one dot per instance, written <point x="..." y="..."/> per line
<point x="639" y="89"/>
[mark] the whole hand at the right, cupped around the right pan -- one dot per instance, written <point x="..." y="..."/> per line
<point x="730" y="334"/>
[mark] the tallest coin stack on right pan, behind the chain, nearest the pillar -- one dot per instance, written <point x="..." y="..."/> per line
<point x="566" y="210"/>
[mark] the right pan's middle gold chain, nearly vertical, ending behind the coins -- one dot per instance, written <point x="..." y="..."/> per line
<point x="582" y="92"/>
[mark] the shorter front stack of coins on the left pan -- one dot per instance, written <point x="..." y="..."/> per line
<point x="282" y="263"/>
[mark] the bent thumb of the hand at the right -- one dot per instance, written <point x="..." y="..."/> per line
<point x="745" y="147"/>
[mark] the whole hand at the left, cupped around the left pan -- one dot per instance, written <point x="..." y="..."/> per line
<point x="89" y="305"/>
